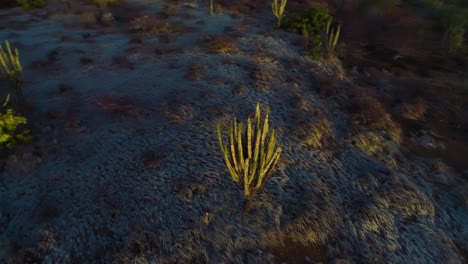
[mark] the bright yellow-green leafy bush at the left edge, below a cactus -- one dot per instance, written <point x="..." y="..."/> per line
<point x="10" y="138"/>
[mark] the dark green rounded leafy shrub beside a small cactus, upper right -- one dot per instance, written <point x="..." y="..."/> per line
<point x="310" y="23"/>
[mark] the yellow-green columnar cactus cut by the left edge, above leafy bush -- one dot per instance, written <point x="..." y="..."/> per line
<point x="10" y="67"/>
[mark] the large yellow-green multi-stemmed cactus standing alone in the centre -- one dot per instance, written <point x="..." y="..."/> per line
<point x="251" y="155"/>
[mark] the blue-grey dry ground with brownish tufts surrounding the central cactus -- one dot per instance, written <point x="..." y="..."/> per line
<point x="126" y="167"/>
